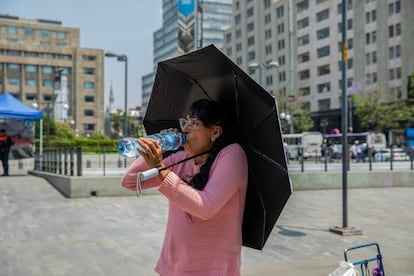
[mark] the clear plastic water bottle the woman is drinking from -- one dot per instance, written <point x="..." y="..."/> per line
<point x="170" y="140"/>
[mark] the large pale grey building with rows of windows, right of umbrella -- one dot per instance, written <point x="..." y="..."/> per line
<point x="303" y="39"/>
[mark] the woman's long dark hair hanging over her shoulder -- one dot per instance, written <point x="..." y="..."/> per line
<point x="211" y="113"/>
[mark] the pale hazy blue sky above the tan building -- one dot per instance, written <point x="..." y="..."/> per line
<point x="123" y="26"/>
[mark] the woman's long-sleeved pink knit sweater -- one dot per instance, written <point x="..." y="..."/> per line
<point x="208" y="243"/>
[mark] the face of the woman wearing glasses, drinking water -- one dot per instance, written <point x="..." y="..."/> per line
<point x="199" y="137"/>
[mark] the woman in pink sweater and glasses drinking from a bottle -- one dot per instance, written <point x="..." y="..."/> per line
<point x="206" y="194"/>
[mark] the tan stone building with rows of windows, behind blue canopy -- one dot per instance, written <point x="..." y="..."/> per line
<point x="42" y="64"/>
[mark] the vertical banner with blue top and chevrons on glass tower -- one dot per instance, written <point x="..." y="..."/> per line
<point x="186" y="26"/>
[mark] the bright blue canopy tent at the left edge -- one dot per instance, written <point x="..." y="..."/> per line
<point x="12" y="108"/>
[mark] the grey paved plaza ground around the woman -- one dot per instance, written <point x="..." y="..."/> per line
<point x="43" y="233"/>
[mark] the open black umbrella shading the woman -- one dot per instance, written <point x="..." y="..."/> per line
<point x="208" y="74"/>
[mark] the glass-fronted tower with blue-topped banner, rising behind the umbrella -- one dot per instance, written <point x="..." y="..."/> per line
<point x="187" y="25"/>
